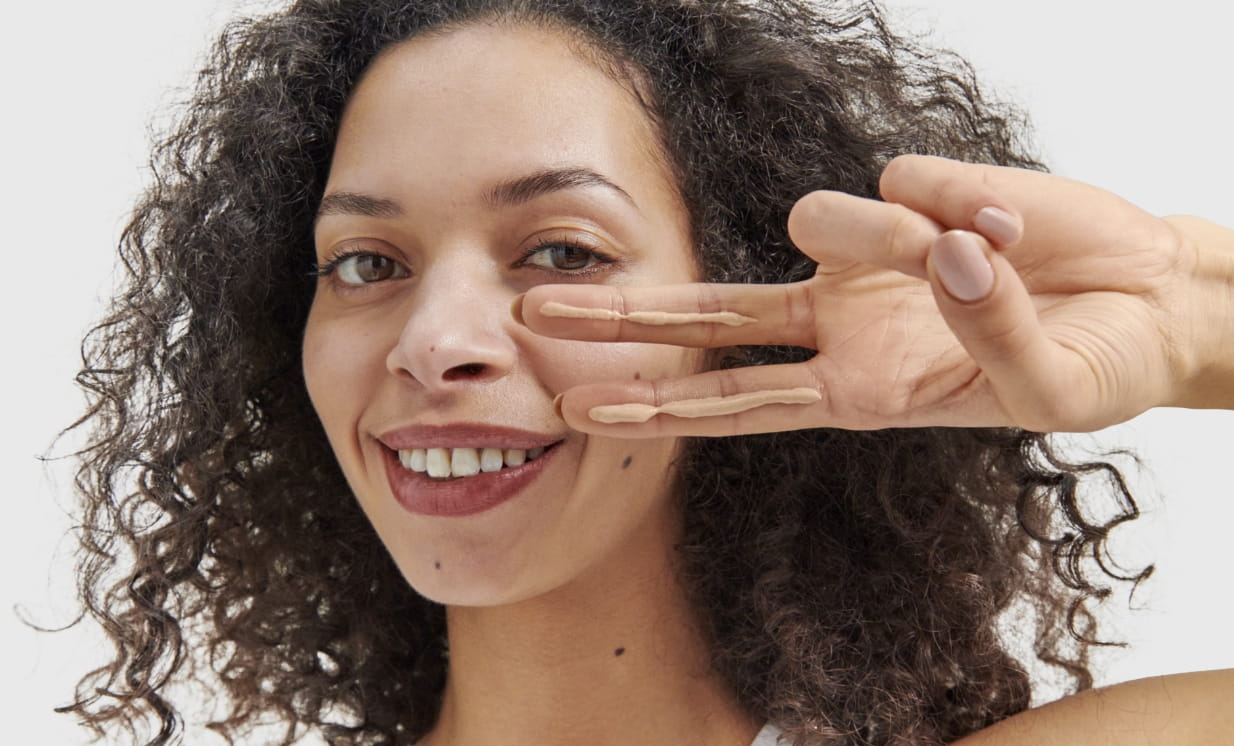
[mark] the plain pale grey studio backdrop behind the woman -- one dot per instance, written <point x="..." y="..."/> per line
<point x="1132" y="97"/>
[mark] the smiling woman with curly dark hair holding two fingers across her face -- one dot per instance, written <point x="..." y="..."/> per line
<point x="447" y="163"/>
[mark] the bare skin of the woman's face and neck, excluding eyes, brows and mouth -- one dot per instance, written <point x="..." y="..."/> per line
<point x="569" y="553"/>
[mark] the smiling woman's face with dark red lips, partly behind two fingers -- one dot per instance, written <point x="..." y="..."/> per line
<point x="470" y="168"/>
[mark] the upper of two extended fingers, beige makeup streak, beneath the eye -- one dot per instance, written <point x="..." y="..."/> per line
<point x="693" y="315"/>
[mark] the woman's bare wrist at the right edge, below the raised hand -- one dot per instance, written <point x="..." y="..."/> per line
<point x="1207" y="375"/>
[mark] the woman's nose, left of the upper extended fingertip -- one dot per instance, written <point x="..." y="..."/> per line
<point x="455" y="336"/>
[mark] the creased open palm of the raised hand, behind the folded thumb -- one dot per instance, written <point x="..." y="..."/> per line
<point x="887" y="355"/>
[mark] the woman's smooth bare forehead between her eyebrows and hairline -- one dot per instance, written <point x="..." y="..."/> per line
<point x="491" y="100"/>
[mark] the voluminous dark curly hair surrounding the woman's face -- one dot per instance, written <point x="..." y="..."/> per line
<point x="851" y="584"/>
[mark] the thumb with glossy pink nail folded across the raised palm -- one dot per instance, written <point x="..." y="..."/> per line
<point x="987" y="305"/>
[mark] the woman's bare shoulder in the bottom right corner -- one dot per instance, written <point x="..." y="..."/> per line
<point x="1183" y="710"/>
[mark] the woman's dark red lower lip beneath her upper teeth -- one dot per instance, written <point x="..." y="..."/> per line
<point x="425" y="496"/>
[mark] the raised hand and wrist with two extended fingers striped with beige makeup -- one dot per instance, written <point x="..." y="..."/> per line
<point x="972" y="297"/>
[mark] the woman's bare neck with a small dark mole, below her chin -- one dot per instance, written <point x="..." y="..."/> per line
<point x="613" y="659"/>
